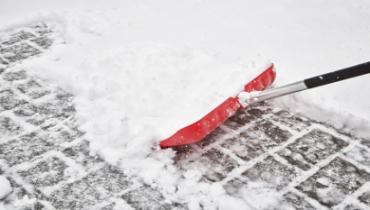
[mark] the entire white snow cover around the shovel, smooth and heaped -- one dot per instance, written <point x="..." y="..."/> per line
<point x="141" y="69"/>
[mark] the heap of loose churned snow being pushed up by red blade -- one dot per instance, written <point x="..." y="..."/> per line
<point x="131" y="97"/>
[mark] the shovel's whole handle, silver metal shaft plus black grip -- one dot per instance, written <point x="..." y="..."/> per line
<point x="313" y="82"/>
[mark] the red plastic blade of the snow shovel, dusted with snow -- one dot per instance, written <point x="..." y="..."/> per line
<point x="198" y="130"/>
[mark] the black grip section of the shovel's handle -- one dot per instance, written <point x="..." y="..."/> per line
<point x="339" y="75"/>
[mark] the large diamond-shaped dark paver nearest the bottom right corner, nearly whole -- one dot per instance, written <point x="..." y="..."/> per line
<point x="332" y="183"/>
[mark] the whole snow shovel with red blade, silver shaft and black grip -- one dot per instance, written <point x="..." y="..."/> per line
<point x="197" y="131"/>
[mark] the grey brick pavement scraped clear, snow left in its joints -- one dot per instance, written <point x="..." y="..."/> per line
<point x="307" y="164"/>
